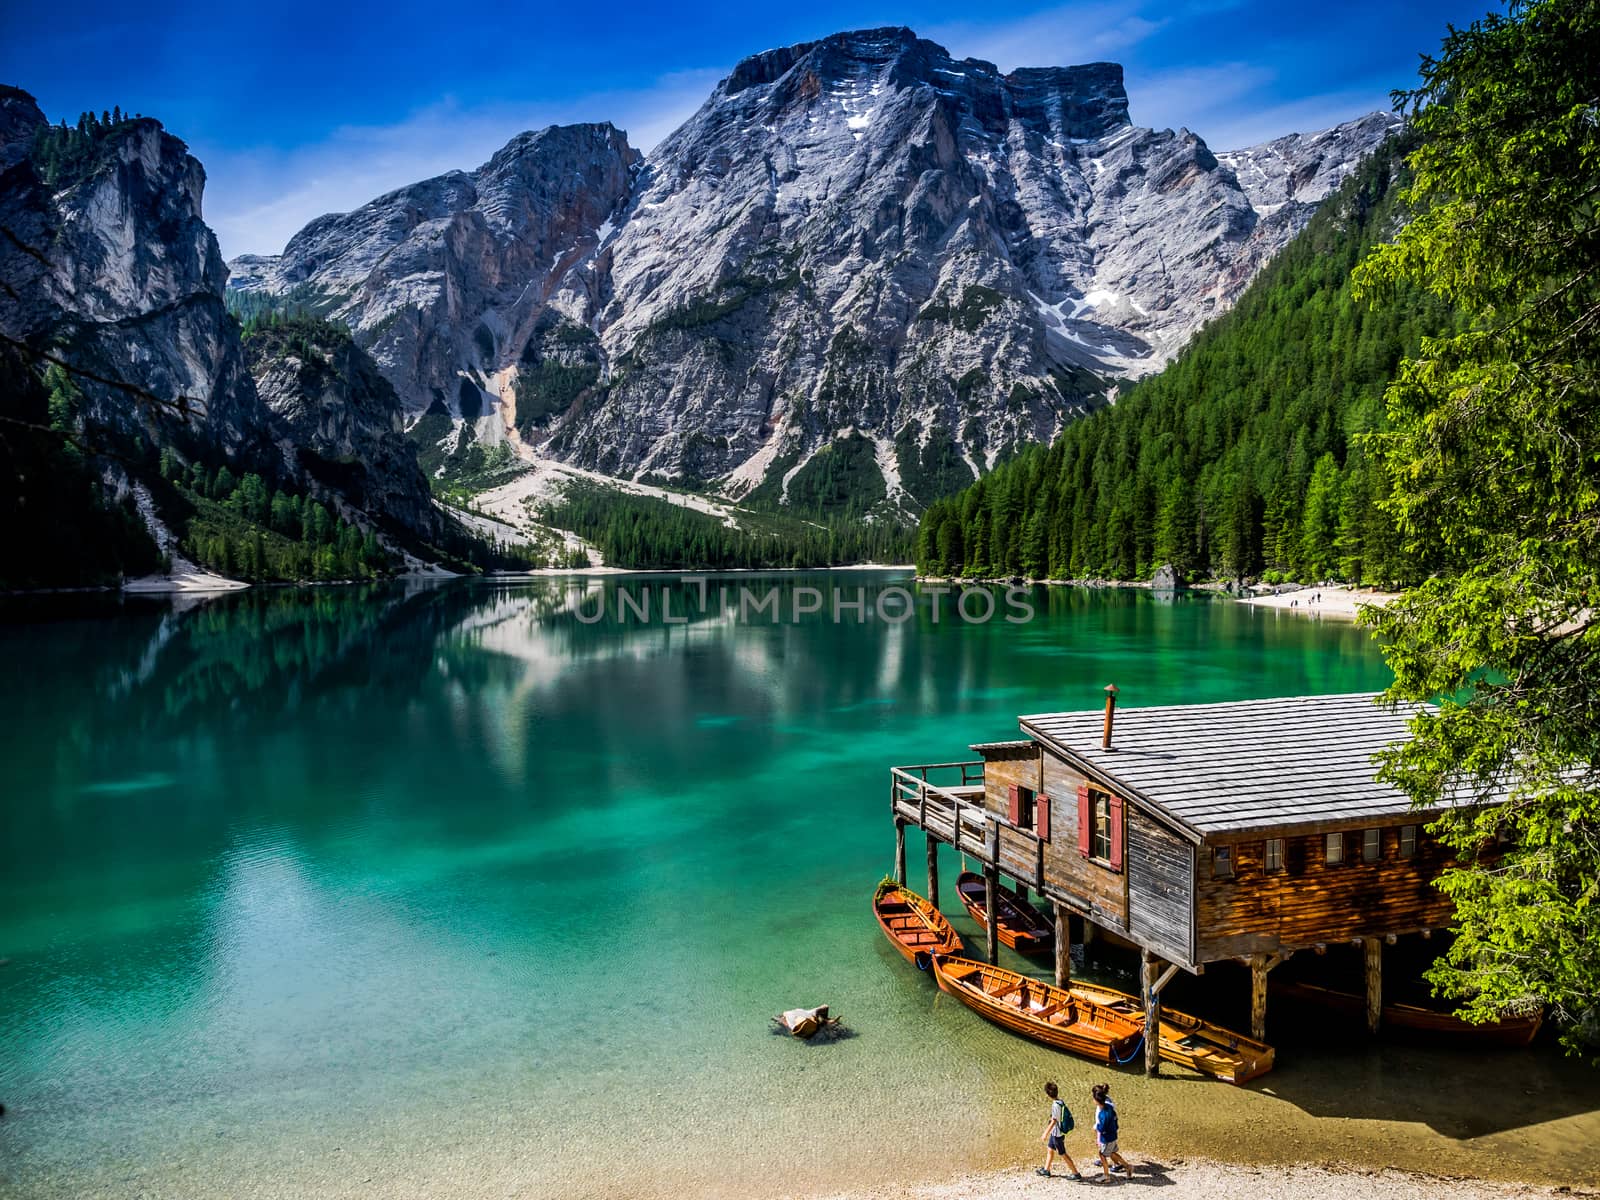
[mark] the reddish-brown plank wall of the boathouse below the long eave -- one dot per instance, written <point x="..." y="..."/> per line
<point x="1310" y="902"/>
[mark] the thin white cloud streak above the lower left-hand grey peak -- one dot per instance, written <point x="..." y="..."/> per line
<point x="258" y="199"/>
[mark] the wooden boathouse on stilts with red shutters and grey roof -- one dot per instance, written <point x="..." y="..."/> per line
<point x="1199" y="833"/>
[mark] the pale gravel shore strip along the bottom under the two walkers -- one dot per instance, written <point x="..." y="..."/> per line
<point x="1194" y="1178"/>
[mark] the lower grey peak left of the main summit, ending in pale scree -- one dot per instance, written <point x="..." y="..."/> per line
<point x="446" y="282"/>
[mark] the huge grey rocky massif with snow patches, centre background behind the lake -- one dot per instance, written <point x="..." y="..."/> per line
<point x="857" y="246"/>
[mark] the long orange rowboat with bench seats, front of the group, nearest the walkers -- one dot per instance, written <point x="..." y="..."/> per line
<point x="1041" y="1012"/>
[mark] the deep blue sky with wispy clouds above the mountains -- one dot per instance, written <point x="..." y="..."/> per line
<point x="300" y="110"/>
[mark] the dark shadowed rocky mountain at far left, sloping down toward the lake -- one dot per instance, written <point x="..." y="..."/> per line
<point x="111" y="270"/>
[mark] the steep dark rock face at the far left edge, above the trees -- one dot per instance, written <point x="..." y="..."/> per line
<point x="118" y="270"/>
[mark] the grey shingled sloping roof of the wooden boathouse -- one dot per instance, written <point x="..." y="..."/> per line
<point x="1242" y="767"/>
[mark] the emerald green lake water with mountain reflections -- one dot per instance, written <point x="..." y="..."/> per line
<point x="460" y="890"/>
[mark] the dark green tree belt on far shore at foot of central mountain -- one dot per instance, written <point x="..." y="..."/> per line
<point x="646" y="532"/>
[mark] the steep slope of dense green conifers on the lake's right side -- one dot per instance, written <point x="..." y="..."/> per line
<point x="1244" y="457"/>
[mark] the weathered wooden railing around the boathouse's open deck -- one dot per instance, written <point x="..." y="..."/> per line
<point x="954" y="814"/>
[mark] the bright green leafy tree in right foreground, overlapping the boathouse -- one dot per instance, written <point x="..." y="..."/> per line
<point x="1494" y="457"/>
